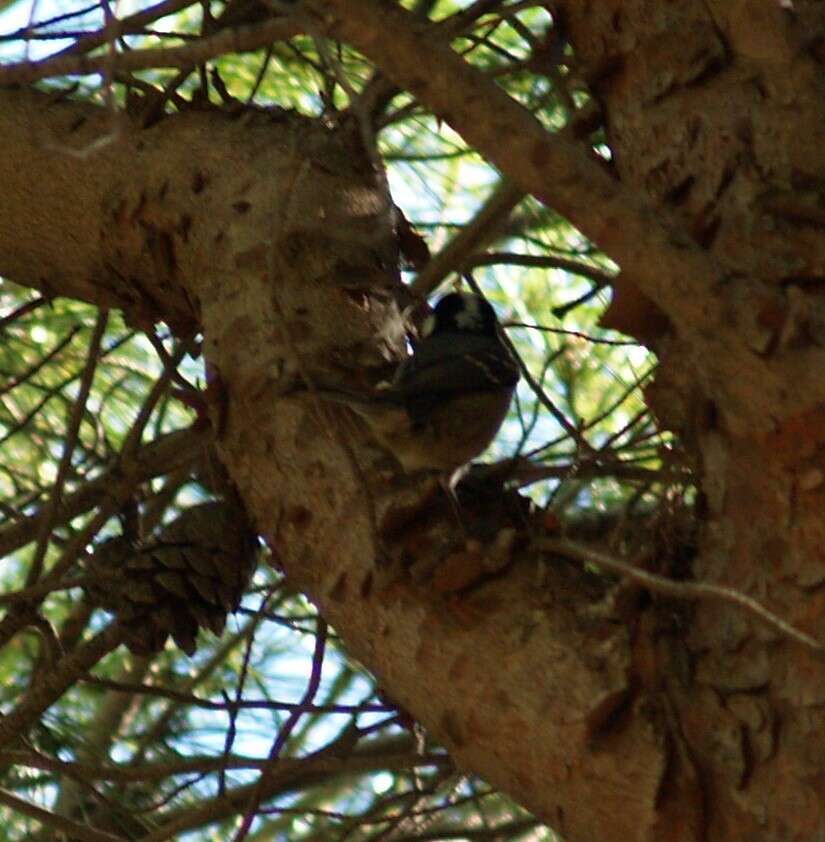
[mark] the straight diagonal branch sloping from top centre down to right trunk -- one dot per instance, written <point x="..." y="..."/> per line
<point x="687" y="282"/>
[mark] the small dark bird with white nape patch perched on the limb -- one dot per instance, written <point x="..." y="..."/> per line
<point x="448" y="399"/>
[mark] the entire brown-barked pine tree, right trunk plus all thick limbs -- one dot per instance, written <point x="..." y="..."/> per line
<point x="705" y="728"/>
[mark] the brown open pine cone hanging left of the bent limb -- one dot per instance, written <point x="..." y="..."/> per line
<point x="188" y="577"/>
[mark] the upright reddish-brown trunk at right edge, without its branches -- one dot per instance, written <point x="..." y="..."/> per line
<point x="717" y="112"/>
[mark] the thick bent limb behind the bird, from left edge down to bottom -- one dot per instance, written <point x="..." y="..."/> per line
<point x="287" y="260"/>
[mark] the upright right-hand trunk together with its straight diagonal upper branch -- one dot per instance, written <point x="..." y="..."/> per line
<point x="714" y="117"/>
